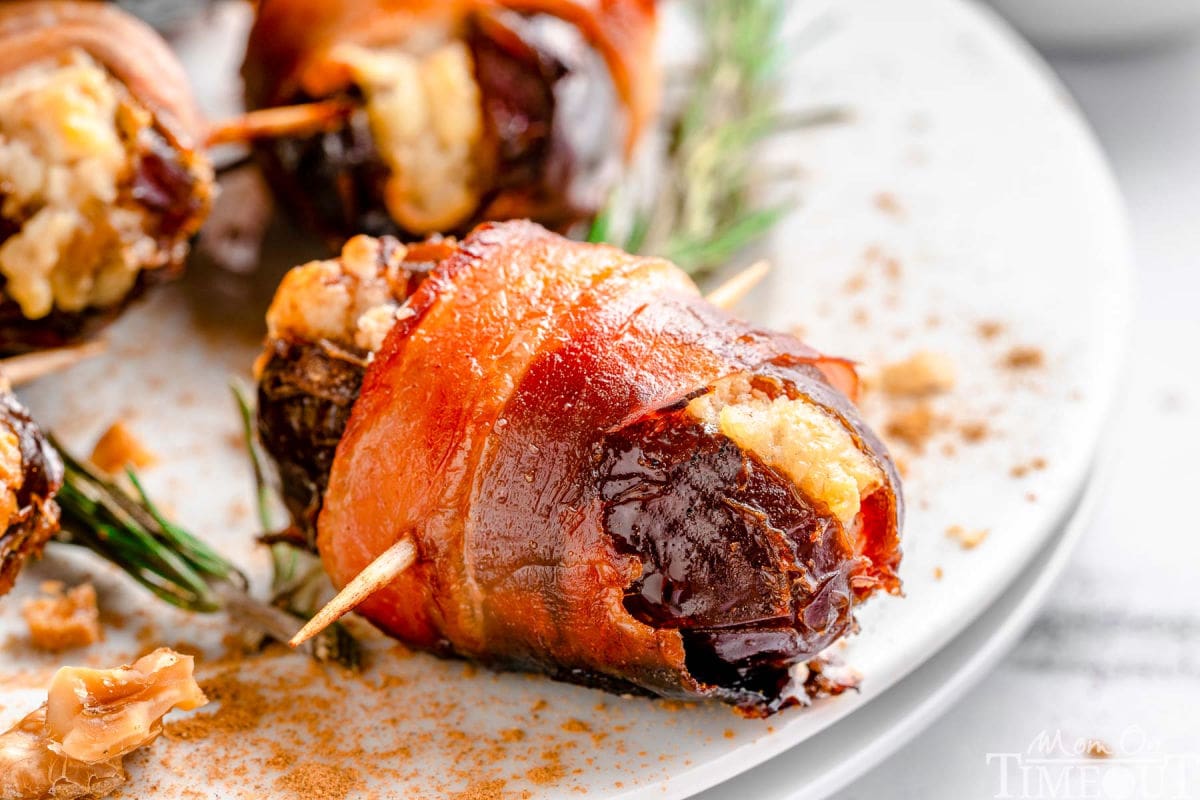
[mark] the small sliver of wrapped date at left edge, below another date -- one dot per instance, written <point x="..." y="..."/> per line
<point x="31" y="476"/>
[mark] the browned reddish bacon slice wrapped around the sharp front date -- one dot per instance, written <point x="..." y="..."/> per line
<point x="476" y="435"/>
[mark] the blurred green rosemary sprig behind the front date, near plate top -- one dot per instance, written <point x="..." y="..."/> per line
<point x="707" y="208"/>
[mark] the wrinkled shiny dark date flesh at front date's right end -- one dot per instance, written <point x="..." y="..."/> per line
<point x="753" y="574"/>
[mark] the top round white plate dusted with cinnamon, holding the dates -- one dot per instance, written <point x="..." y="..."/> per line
<point x="964" y="189"/>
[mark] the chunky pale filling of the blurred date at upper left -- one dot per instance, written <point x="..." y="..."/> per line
<point x="68" y="148"/>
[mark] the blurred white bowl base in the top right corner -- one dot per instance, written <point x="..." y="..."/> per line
<point x="1096" y="26"/>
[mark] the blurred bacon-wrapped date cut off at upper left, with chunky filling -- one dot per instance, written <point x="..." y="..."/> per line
<point x="103" y="183"/>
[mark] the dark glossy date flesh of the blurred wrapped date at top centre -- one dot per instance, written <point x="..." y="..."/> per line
<point x="553" y="139"/>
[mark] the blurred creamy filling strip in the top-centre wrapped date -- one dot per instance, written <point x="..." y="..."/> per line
<point x="427" y="121"/>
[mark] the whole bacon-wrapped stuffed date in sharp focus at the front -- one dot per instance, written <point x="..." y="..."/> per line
<point x="608" y="479"/>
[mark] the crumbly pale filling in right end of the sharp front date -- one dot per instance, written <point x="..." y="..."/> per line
<point x="796" y="437"/>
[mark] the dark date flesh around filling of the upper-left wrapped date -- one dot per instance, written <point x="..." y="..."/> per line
<point x="164" y="185"/>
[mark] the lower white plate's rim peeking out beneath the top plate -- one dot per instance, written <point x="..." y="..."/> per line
<point x="857" y="744"/>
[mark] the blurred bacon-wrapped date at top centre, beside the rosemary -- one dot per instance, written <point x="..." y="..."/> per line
<point x="464" y="110"/>
